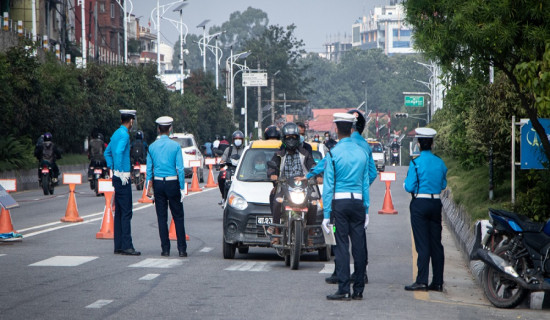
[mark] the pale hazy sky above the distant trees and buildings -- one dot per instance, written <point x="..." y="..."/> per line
<point x="317" y="21"/>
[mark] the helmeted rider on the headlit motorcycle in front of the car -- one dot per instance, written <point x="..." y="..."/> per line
<point x="291" y="161"/>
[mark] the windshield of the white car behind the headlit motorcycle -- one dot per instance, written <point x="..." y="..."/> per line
<point x="254" y="165"/>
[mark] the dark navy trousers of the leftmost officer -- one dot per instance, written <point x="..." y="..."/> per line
<point x="123" y="215"/>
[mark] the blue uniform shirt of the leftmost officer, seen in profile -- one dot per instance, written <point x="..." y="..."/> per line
<point x="117" y="153"/>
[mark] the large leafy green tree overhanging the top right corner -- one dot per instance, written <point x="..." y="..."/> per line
<point x="470" y="34"/>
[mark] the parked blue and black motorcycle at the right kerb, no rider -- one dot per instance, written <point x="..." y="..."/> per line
<point x="516" y="253"/>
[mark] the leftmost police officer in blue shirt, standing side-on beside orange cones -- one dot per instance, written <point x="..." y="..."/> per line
<point x="117" y="156"/>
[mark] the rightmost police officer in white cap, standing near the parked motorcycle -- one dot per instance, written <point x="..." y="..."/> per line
<point x="426" y="178"/>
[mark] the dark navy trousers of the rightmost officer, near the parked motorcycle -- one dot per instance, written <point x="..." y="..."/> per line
<point x="426" y="226"/>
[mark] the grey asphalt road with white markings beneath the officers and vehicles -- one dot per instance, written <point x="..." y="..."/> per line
<point x="61" y="271"/>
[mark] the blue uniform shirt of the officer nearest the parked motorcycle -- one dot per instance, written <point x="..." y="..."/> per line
<point x="432" y="174"/>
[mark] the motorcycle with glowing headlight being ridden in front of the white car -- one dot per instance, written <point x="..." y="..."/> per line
<point x="296" y="237"/>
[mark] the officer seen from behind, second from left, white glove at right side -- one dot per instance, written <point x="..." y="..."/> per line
<point x="165" y="170"/>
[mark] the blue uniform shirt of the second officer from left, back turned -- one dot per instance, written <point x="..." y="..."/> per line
<point x="165" y="160"/>
